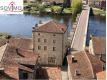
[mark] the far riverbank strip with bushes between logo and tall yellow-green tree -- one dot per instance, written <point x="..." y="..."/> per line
<point x="36" y="8"/>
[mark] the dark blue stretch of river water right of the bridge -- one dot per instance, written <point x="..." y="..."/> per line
<point x="97" y="27"/>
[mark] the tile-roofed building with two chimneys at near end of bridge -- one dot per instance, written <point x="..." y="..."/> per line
<point x="83" y="66"/>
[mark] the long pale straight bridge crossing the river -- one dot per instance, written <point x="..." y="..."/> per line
<point x="79" y="38"/>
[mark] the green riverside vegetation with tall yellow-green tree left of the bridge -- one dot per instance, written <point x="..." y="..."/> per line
<point x="39" y="8"/>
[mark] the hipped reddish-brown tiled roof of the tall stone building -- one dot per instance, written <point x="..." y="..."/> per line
<point x="50" y="26"/>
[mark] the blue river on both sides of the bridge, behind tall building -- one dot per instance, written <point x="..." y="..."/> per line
<point x="22" y="24"/>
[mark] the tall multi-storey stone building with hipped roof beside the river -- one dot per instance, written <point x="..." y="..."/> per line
<point x="50" y="42"/>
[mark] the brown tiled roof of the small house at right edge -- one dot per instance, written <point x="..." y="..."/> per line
<point x="99" y="45"/>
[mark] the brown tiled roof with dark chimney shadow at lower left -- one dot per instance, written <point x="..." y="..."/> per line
<point x="10" y="61"/>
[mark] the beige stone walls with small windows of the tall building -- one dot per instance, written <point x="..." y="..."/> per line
<point x="45" y="55"/>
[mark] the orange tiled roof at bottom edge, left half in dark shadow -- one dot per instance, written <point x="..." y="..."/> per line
<point x="53" y="73"/>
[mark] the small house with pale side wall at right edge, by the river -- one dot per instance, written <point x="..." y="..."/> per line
<point x="97" y="47"/>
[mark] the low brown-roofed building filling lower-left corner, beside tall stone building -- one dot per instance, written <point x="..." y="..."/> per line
<point x="17" y="63"/>
